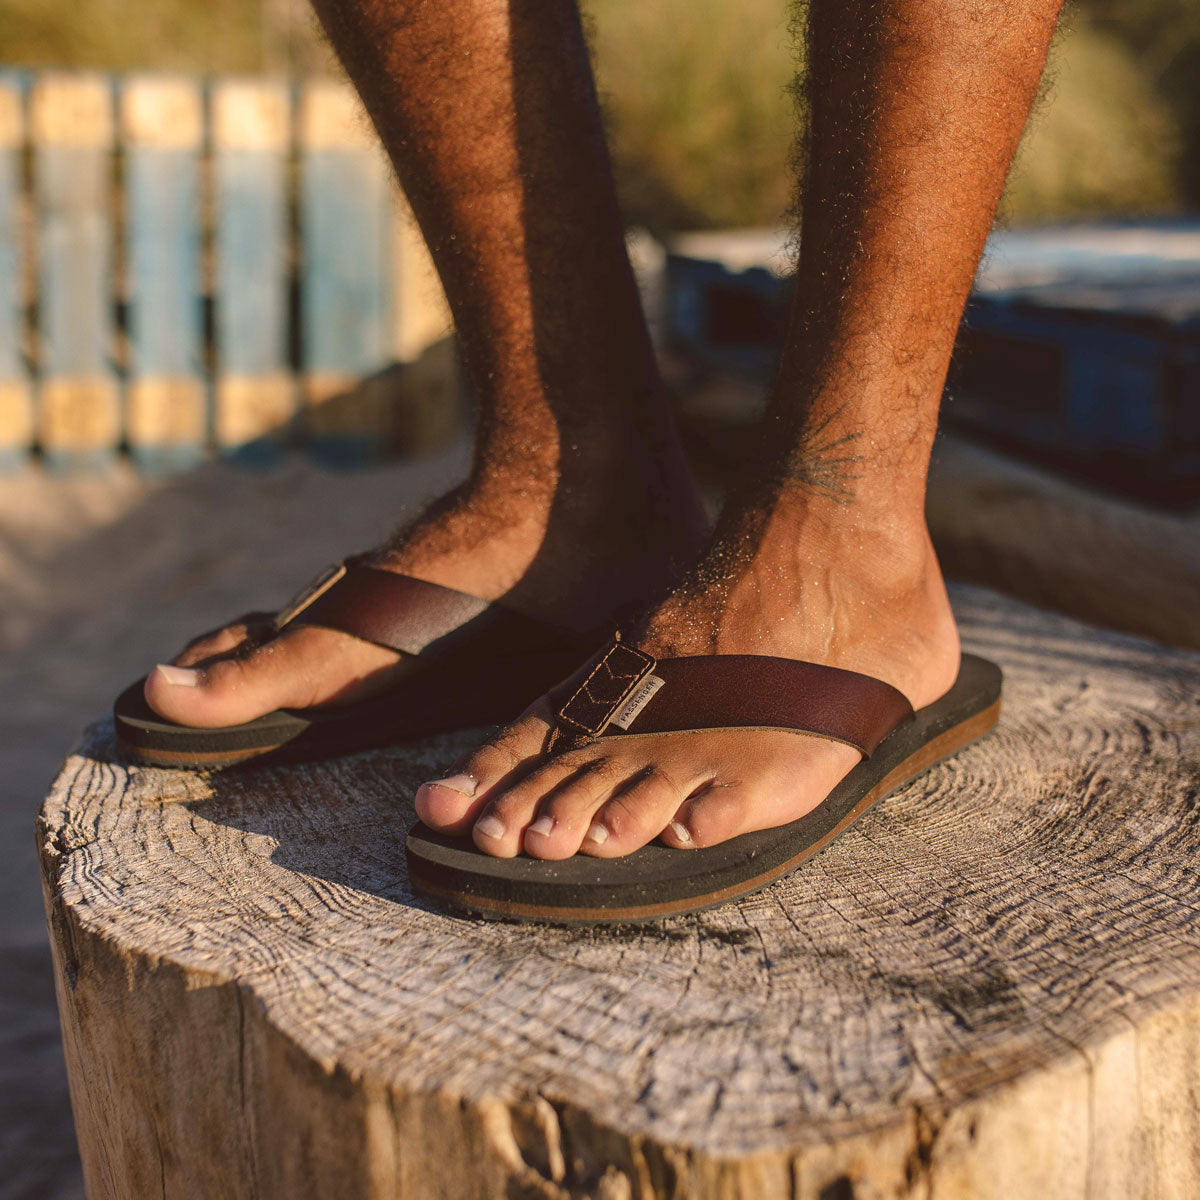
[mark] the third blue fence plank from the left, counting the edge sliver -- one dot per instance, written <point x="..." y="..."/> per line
<point x="166" y="411"/>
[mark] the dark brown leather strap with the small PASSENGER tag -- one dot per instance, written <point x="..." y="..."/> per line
<point x="627" y="692"/>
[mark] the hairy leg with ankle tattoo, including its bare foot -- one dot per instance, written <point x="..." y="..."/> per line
<point x="915" y="112"/>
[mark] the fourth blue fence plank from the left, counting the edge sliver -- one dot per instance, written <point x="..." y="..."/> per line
<point x="255" y="403"/>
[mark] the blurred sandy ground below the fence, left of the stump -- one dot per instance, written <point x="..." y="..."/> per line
<point x="101" y="578"/>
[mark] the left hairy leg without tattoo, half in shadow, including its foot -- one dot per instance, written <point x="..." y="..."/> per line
<point x="489" y="112"/>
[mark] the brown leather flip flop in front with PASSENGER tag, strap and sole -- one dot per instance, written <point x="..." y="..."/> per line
<point x="626" y="693"/>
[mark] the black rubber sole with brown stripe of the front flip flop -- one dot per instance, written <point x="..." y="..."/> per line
<point x="658" y="881"/>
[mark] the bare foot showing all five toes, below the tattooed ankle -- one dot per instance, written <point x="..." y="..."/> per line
<point x="863" y="598"/>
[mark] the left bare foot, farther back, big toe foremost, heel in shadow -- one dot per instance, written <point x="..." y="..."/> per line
<point x="542" y="545"/>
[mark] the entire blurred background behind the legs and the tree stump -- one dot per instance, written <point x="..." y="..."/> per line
<point x="225" y="361"/>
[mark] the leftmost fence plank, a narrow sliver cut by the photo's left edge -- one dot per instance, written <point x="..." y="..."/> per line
<point x="16" y="394"/>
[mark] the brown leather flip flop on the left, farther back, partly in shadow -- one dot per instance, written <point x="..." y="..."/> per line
<point x="472" y="663"/>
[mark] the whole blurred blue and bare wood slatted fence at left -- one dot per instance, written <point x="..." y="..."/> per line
<point x="193" y="267"/>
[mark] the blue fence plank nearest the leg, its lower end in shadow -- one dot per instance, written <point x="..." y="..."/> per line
<point x="347" y="223"/>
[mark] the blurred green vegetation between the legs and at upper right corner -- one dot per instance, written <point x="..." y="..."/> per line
<point x="699" y="101"/>
